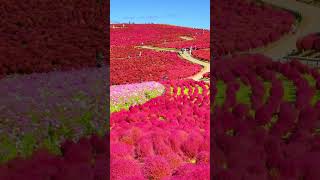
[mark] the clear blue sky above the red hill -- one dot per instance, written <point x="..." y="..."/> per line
<point x="189" y="13"/>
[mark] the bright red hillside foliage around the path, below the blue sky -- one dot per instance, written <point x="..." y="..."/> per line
<point x="131" y="64"/>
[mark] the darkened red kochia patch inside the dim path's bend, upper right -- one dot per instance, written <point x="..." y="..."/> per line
<point x="243" y="25"/>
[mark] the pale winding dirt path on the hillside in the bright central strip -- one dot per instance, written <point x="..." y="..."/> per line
<point x="185" y="55"/>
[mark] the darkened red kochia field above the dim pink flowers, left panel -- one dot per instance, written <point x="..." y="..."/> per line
<point x="42" y="36"/>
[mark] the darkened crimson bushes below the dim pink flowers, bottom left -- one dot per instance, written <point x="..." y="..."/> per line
<point x="80" y="160"/>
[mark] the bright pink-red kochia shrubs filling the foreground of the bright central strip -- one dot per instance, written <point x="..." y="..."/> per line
<point x="166" y="133"/>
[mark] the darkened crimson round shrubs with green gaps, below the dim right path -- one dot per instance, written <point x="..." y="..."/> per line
<point x="265" y="119"/>
